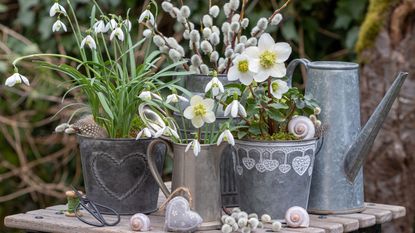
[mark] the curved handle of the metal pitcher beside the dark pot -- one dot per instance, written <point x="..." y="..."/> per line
<point x="152" y="163"/>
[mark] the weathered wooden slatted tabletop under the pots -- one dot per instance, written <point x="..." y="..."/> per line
<point x="52" y="219"/>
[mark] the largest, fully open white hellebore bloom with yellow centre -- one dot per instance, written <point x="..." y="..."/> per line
<point x="268" y="58"/>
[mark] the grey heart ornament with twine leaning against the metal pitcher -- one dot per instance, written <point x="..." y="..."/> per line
<point x="180" y="218"/>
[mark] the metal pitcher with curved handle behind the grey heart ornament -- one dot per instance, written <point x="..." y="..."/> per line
<point x="200" y="174"/>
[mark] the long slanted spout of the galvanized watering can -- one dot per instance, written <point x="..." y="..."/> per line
<point x="357" y="152"/>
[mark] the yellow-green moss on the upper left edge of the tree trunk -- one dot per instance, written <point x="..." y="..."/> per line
<point x="373" y="23"/>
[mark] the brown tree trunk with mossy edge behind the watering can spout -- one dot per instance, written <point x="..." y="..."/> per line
<point x="387" y="46"/>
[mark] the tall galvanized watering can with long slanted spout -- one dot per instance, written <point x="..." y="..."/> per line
<point x="337" y="181"/>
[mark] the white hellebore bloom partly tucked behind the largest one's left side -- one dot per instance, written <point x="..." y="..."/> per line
<point x="240" y="70"/>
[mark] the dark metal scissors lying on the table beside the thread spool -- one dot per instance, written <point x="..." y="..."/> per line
<point x="91" y="207"/>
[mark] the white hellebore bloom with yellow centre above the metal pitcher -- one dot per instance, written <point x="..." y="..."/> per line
<point x="200" y="111"/>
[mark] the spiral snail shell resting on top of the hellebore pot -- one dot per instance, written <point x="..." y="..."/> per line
<point x="302" y="127"/>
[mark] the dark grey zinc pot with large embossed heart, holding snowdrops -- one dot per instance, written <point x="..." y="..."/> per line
<point x="116" y="173"/>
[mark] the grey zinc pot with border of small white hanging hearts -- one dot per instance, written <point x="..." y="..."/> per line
<point x="273" y="176"/>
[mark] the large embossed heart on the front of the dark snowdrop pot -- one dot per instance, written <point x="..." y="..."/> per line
<point x="131" y="169"/>
